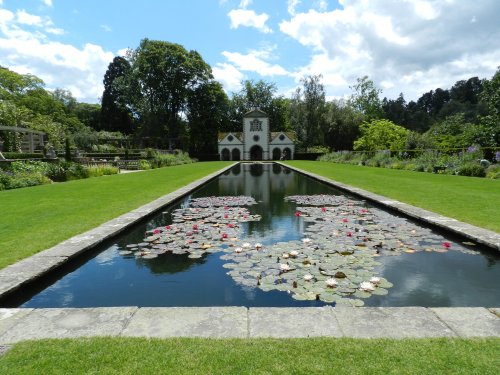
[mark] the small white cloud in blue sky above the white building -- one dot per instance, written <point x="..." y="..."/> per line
<point x="255" y="61"/>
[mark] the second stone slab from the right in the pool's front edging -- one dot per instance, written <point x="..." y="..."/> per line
<point x="391" y="322"/>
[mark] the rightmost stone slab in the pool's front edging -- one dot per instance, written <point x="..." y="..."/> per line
<point x="470" y="321"/>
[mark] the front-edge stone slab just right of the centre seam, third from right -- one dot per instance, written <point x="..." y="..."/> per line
<point x="293" y="322"/>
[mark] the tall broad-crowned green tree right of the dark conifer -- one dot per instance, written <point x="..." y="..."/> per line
<point x="162" y="76"/>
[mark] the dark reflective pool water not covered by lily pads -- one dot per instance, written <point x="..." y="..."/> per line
<point x="108" y="279"/>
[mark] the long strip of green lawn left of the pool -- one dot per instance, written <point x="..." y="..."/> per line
<point x="36" y="218"/>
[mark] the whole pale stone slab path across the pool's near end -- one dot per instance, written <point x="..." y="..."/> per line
<point x="242" y="322"/>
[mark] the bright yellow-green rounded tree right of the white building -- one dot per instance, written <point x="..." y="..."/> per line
<point x="381" y="135"/>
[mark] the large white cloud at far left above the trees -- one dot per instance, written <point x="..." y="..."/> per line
<point x="26" y="46"/>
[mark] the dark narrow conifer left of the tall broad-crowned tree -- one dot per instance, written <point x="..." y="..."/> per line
<point x="116" y="114"/>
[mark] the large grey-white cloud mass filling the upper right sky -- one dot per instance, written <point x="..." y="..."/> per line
<point x="411" y="46"/>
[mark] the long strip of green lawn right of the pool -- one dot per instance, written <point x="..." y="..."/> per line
<point x="469" y="199"/>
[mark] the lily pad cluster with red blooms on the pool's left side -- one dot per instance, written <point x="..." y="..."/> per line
<point x="195" y="231"/>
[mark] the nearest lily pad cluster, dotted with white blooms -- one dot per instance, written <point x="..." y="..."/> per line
<point x="309" y="270"/>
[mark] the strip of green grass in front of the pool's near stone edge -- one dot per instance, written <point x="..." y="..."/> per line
<point x="263" y="356"/>
